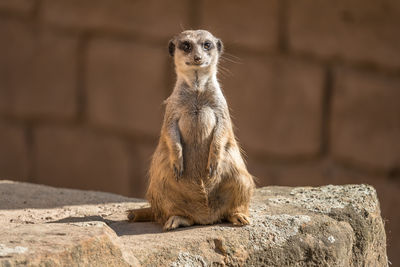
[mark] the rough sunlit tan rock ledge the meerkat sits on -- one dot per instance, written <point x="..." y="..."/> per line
<point x="304" y="226"/>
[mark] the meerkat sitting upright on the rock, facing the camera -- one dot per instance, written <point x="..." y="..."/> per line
<point x="197" y="173"/>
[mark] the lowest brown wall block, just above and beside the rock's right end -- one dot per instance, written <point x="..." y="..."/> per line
<point x="330" y="172"/>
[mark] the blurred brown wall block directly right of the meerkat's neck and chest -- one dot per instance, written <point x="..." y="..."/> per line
<point x="276" y="104"/>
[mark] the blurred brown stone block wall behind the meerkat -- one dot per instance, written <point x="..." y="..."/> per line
<point x="314" y="89"/>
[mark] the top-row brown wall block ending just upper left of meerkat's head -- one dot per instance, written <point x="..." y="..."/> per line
<point x="155" y="18"/>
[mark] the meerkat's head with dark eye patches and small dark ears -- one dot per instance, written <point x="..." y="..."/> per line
<point x="195" y="50"/>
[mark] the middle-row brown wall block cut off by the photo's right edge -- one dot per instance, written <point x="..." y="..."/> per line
<point x="365" y="126"/>
